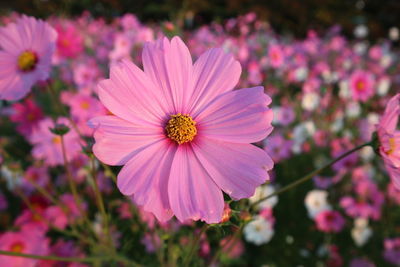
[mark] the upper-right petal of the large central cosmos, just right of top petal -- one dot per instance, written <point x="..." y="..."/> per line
<point x="215" y="72"/>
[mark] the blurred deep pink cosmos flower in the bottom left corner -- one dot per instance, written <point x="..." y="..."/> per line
<point x="28" y="241"/>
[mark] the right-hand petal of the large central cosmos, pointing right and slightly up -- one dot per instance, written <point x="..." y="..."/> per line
<point x="240" y="116"/>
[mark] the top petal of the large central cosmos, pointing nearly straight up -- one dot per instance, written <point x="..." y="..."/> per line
<point x="169" y="66"/>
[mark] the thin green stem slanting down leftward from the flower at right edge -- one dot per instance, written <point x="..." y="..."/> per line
<point x="311" y="174"/>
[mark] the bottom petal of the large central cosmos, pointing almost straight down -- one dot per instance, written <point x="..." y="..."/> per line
<point x="192" y="192"/>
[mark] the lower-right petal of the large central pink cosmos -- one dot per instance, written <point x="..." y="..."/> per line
<point x="236" y="168"/>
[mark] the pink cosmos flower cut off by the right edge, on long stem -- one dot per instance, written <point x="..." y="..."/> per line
<point x="389" y="139"/>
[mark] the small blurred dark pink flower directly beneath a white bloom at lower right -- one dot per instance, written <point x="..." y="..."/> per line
<point x="329" y="221"/>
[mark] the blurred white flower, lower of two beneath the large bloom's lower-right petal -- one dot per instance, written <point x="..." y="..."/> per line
<point x="259" y="231"/>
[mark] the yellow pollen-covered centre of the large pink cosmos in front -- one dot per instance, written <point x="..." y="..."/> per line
<point x="181" y="128"/>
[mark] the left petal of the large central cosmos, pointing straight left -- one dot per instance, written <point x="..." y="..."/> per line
<point x="118" y="140"/>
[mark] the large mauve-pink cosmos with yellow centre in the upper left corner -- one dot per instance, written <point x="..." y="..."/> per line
<point x="26" y="48"/>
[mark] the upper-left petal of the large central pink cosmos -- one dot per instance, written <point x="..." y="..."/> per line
<point x="129" y="94"/>
